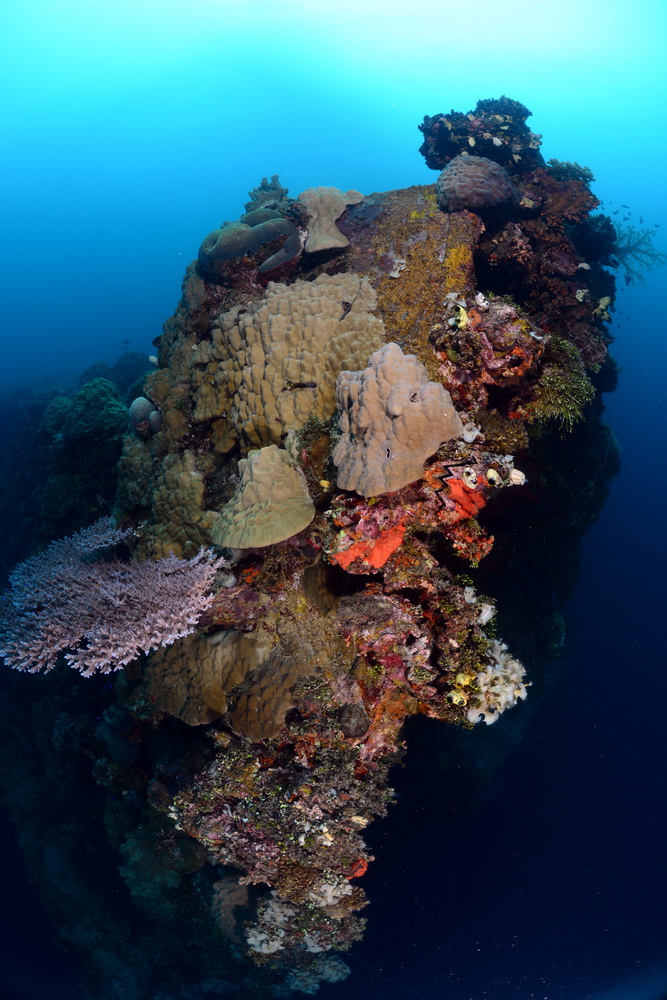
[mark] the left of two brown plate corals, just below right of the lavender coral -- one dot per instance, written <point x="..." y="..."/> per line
<point x="192" y="678"/>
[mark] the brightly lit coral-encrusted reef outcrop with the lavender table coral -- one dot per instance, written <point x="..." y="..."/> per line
<point x="346" y="383"/>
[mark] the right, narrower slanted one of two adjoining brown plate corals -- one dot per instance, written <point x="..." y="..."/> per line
<point x="268" y="694"/>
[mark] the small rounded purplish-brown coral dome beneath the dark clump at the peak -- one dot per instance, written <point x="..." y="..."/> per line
<point x="473" y="182"/>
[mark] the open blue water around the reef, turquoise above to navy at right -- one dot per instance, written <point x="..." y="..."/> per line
<point x="133" y="128"/>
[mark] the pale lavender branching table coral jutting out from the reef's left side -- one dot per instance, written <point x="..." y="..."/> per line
<point x="103" y="610"/>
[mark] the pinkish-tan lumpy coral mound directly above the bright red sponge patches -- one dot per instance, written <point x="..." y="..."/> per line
<point x="392" y="418"/>
